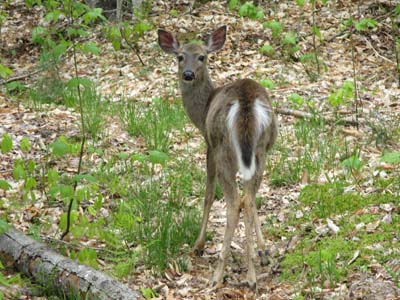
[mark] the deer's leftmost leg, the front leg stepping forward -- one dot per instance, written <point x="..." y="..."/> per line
<point x="208" y="201"/>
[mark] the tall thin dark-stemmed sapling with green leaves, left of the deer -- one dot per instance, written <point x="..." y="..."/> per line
<point x="53" y="50"/>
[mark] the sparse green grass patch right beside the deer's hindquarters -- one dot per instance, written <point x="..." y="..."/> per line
<point x="316" y="149"/>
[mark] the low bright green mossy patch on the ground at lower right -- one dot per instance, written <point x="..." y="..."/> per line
<point x="318" y="259"/>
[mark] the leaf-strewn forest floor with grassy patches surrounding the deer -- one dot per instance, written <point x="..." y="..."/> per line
<point x="330" y="200"/>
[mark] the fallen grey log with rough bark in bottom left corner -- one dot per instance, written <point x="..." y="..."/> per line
<point x="59" y="273"/>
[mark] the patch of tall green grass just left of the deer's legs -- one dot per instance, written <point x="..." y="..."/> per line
<point x="152" y="222"/>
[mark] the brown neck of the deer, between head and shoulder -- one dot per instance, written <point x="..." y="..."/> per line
<point x="195" y="100"/>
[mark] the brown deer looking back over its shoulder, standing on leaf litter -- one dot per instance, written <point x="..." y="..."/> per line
<point x="239" y="128"/>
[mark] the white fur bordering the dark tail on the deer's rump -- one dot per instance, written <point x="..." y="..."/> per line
<point x="261" y="114"/>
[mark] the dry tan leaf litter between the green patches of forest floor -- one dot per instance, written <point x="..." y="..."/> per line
<point x="119" y="75"/>
